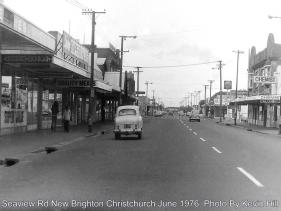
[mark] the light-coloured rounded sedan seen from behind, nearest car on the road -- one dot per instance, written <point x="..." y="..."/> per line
<point x="128" y="121"/>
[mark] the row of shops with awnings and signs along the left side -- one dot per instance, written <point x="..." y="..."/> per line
<point x="37" y="68"/>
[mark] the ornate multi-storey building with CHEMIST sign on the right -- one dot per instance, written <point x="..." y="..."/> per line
<point x="264" y="85"/>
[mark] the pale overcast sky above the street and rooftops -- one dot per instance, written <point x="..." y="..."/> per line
<point x="169" y="33"/>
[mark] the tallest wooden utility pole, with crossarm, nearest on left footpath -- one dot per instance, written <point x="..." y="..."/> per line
<point x="92" y="106"/>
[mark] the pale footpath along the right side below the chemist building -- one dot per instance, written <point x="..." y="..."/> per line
<point x="246" y="126"/>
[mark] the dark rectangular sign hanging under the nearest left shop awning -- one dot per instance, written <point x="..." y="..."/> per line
<point x="27" y="59"/>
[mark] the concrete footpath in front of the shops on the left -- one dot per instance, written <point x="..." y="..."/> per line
<point x="20" y="144"/>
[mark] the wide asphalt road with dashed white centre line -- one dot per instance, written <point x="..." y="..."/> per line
<point x="178" y="164"/>
